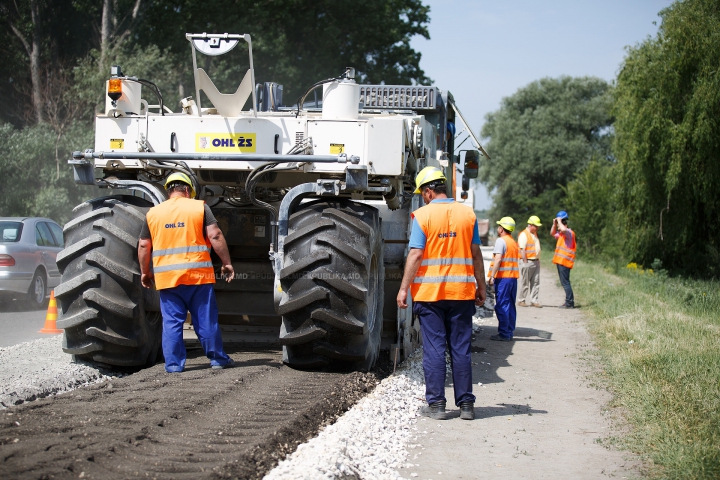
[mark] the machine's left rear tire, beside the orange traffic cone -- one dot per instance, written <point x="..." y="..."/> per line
<point x="108" y="317"/>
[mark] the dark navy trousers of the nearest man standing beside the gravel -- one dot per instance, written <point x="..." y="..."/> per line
<point x="446" y="323"/>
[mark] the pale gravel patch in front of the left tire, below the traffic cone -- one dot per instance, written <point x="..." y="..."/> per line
<point x="36" y="369"/>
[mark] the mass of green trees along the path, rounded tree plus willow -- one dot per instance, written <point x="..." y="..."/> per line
<point x="634" y="162"/>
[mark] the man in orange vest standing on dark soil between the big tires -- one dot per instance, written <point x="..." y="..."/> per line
<point x="178" y="235"/>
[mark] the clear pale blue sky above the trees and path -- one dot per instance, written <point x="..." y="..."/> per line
<point x="482" y="51"/>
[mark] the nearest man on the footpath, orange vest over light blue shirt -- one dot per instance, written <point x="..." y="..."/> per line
<point x="445" y="273"/>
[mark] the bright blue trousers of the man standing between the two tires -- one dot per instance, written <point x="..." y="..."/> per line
<point x="199" y="300"/>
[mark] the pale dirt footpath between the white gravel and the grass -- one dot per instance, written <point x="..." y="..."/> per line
<point x="537" y="414"/>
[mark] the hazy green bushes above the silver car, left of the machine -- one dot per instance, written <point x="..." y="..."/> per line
<point x="33" y="180"/>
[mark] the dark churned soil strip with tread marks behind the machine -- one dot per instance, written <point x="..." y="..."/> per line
<point x="203" y="423"/>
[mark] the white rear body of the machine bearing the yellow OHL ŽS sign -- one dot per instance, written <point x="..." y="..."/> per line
<point x="382" y="141"/>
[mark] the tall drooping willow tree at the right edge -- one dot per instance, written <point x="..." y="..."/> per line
<point x="668" y="141"/>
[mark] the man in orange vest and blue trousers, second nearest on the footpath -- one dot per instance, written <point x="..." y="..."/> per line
<point x="503" y="276"/>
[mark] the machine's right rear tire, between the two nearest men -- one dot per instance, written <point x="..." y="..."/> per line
<point x="332" y="283"/>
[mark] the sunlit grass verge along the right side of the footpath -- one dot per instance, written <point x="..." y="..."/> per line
<point x="659" y="342"/>
